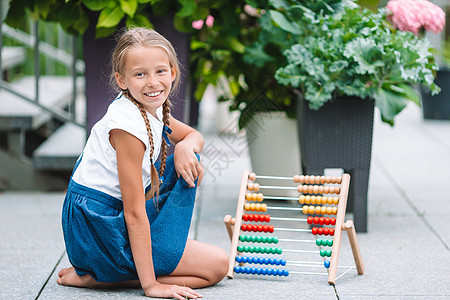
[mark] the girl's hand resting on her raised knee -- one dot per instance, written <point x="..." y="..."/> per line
<point x="187" y="164"/>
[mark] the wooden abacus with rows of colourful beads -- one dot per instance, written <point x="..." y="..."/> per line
<point x="311" y="189"/>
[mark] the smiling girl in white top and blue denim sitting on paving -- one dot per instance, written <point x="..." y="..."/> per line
<point x="126" y="219"/>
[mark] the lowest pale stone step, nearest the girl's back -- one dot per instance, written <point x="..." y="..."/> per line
<point x="61" y="150"/>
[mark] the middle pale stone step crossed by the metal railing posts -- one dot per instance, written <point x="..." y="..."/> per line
<point x="55" y="92"/>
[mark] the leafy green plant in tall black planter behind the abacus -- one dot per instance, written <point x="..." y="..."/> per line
<point x="343" y="64"/>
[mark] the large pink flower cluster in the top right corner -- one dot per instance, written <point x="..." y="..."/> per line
<point x="412" y="15"/>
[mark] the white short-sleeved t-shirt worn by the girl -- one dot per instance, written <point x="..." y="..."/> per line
<point x="98" y="166"/>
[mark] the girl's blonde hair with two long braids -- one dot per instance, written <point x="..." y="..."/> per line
<point x="145" y="37"/>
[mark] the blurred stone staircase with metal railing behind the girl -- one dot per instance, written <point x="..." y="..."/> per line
<point x="42" y="118"/>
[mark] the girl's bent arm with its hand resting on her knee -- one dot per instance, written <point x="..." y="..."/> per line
<point x="188" y="142"/>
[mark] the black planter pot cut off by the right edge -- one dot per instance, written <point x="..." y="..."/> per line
<point x="438" y="106"/>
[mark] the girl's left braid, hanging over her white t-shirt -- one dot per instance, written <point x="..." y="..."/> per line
<point x="154" y="174"/>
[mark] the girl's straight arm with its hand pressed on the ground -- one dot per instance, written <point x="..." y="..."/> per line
<point x="130" y="153"/>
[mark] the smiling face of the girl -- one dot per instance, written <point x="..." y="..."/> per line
<point x="148" y="76"/>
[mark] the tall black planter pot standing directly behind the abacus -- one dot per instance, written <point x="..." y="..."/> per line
<point x="339" y="135"/>
